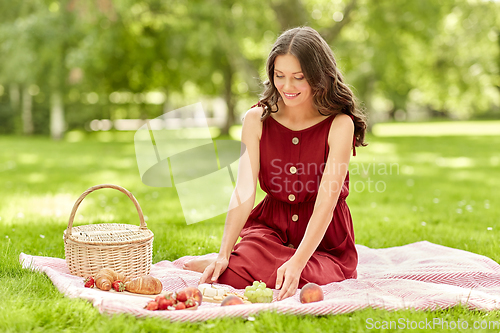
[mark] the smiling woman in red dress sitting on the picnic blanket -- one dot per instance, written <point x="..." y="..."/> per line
<point x="298" y="141"/>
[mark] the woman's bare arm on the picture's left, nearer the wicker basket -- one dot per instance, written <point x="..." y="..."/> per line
<point x="243" y="196"/>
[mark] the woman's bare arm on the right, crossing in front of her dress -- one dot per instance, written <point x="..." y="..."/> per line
<point x="340" y="142"/>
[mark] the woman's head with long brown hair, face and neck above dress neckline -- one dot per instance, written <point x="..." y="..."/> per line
<point x="302" y="72"/>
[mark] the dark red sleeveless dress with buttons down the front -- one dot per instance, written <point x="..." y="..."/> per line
<point x="291" y="165"/>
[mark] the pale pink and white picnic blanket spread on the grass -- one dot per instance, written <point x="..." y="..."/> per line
<point x="421" y="276"/>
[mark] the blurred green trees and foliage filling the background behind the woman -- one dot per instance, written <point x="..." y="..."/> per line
<point x="402" y="58"/>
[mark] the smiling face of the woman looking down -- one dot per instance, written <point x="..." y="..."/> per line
<point x="290" y="81"/>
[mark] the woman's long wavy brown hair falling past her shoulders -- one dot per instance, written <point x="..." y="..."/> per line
<point x="330" y="94"/>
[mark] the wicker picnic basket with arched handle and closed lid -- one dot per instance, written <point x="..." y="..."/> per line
<point x="125" y="248"/>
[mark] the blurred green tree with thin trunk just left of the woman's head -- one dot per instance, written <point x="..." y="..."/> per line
<point x="226" y="40"/>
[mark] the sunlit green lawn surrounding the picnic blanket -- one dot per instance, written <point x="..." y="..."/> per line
<point x="403" y="189"/>
